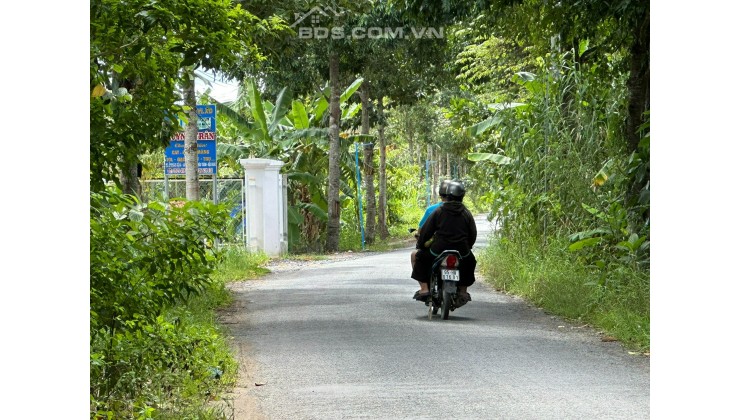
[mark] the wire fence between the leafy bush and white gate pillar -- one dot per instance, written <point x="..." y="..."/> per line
<point x="227" y="191"/>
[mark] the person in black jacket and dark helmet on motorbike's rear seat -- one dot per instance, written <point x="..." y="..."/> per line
<point x="450" y="226"/>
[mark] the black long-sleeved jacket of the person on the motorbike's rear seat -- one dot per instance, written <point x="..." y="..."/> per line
<point x="452" y="226"/>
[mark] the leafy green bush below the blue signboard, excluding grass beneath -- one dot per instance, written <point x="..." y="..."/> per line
<point x="146" y="256"/>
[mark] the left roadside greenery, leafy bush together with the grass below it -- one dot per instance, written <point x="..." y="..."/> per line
<point x="155" y="349"/>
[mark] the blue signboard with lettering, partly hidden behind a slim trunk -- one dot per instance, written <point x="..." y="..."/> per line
<point x="174" y="156"/>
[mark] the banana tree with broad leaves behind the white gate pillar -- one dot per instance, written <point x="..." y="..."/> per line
<point x="290" y="130"/>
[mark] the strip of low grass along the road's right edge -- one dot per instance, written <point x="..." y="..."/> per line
<point x="615" y="300"/>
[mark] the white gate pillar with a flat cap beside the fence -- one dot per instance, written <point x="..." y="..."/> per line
<point x="267" y="209"/>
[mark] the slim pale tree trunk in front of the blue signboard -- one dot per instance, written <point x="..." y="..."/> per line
<point x="192" y="189"/>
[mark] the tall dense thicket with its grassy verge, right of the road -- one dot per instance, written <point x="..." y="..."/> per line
<point x="557" y="171"/>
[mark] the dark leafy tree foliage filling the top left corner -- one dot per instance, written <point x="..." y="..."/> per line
<point x="138" y="49"/>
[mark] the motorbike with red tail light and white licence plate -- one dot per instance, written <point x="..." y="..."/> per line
<point x="443" y="284"/>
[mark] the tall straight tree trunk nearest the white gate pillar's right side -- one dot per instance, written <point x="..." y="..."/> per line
<point x="332" y="228"/>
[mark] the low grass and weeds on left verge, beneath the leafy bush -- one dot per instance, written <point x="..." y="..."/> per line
<point x="174" y="368"/>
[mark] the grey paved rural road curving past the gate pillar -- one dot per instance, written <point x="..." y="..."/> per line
<point x="342" y="339"/>
